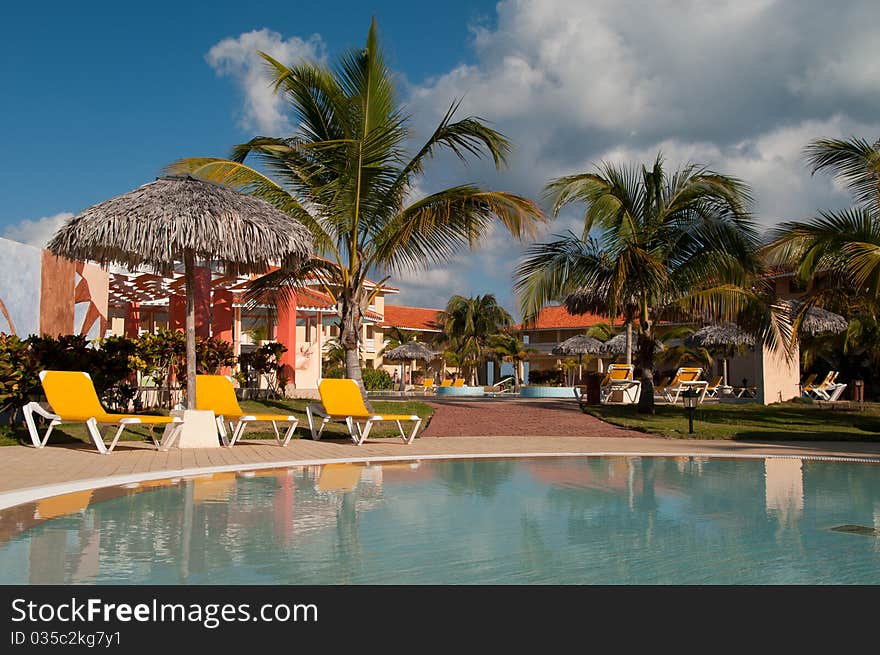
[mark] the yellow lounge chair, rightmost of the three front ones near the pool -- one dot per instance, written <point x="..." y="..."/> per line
<point x="342" y="401"/>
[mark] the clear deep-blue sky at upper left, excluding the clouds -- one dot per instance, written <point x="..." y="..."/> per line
<point x="103" y="94"/>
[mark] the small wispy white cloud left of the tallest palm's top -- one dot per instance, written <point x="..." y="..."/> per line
<point x="238" y="58"/>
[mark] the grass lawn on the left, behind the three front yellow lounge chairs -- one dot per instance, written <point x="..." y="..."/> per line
<point x="77" y="431"/>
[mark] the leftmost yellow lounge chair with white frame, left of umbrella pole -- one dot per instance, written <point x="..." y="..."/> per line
<point x="72" y="397"/>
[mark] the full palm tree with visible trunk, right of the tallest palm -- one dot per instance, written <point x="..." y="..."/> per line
<point x="677" y="245"/>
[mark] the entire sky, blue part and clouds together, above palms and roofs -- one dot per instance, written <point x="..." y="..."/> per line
<point x="98" y="96"/>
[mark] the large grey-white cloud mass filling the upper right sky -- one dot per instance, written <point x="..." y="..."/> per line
<point x="738" y="85"/>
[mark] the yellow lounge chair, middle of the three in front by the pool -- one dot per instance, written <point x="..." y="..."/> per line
<point x="216" y="393"/>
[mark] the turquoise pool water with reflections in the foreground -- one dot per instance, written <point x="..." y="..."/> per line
<point x="602" y="520"/>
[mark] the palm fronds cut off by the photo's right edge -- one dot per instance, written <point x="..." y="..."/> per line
<point x="838" y="250"/>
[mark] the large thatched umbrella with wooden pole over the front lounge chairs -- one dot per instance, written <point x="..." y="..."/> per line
<point x="181" y="218"/>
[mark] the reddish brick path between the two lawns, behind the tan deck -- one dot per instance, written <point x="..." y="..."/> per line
<point x="482" y="418"/>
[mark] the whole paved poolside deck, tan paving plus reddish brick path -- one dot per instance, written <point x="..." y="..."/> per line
<point x="475" y="429"/>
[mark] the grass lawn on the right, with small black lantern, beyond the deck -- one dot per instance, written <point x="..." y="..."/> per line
<point x="792" y="421"/>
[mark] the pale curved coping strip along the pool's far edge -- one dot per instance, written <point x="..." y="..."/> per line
<point x="11" y="499"/>
